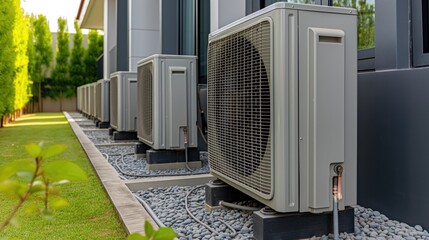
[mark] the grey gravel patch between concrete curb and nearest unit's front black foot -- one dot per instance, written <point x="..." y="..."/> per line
<point x="169" y="205"/>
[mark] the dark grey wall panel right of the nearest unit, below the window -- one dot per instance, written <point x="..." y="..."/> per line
<point x="393" y="143"/>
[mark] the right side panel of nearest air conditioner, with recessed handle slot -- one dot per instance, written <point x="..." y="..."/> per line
<point x="328" y="108"/>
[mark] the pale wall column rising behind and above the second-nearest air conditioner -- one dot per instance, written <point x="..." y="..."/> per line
<point x="144" y="30"/>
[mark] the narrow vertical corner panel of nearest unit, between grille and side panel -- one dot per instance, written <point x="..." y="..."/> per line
<point x="285" y="111"/>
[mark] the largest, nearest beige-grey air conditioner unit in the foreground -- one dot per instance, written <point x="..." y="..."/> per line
<point x="282" y="105"/>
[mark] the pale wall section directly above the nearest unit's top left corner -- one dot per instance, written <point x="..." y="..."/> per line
<point x="224" y="12"/>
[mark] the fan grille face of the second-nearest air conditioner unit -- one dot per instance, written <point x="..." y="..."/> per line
<point x="145" y="78"/>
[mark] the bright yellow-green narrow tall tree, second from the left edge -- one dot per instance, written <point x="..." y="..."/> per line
<point x="20" y="39"/>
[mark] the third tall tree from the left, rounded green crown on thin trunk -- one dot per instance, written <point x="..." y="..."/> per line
<point x="43" y="54"/>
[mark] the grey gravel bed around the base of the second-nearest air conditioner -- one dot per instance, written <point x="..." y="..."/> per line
<point x="132" y="167"/>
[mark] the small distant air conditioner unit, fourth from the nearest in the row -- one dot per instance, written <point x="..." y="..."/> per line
<point x="102" y="100"/>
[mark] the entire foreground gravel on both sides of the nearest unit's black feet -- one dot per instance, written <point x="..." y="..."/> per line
<point x="168" y="205"/>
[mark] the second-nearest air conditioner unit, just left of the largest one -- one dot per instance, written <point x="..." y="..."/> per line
<point x="167" y="101"/>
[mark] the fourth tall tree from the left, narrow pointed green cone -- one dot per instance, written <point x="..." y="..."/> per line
<point x="60" y="75"/>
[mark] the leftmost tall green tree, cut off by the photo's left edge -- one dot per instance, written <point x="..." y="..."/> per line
<point x="7" y="57"/>
